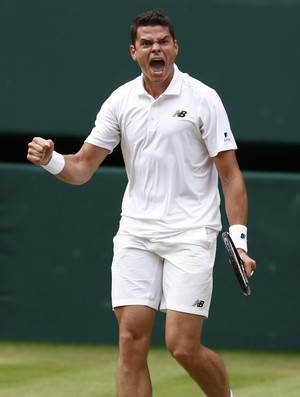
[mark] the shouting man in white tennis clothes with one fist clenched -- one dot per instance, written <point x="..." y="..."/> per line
<point x="176" y="140"/>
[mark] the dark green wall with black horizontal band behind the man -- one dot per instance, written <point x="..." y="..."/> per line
<point x="59" y="61"/>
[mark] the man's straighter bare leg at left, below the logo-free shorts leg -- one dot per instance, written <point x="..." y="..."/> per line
<point x="135" y="327"/>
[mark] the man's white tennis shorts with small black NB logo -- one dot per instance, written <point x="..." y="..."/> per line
<point x="173" y="273"/>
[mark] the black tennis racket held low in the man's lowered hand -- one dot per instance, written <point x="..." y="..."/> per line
<point x="237" y="264"/>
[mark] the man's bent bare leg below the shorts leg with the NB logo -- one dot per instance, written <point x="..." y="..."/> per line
<point x="183" y="339"/>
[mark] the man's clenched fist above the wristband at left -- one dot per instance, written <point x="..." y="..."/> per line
<point x="40" y="151"/>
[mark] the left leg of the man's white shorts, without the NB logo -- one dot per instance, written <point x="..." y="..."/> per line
<point x="136" y="273"/>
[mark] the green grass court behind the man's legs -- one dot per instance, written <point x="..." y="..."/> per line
<point x="54" y="370"/>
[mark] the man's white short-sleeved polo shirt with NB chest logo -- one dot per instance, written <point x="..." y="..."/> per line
<point x="167" y="144"/>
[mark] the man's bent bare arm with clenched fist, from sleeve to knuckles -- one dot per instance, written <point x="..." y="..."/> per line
<point x="76" y="169"/>
